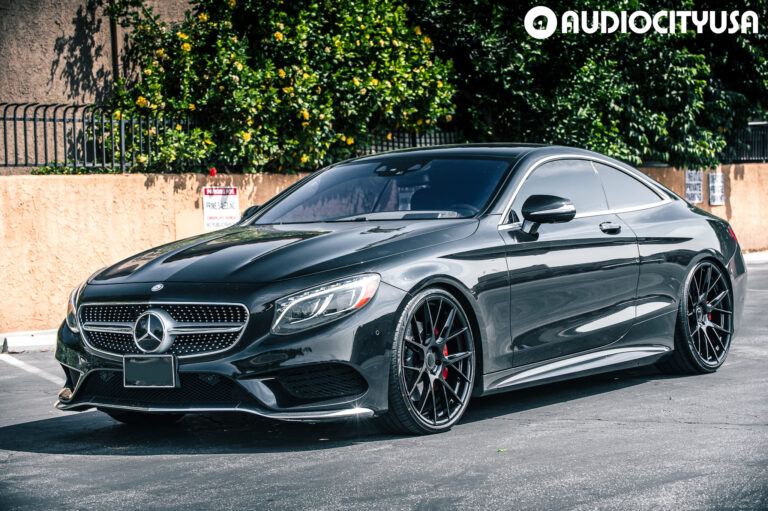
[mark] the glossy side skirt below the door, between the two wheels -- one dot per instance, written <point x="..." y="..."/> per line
<point x="582" y="365"/>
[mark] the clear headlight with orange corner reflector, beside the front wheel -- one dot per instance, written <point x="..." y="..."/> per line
<point x="323" y="304"/>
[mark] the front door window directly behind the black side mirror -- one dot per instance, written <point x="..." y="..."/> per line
<point x="571" y="179"/>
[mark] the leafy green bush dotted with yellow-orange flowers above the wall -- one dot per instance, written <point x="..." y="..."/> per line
<point x="283" y="85"/>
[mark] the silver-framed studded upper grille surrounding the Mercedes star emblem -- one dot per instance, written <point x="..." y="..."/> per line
<point x="109" y="327"/>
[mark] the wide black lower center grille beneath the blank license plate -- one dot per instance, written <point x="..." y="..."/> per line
<point x="195" y="389"/>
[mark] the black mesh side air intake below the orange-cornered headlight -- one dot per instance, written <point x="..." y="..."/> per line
<point x="322" y="381"/>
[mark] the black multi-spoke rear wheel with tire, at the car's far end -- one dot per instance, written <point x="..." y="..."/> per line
<point x="704" y="326"/>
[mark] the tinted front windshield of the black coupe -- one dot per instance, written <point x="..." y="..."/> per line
<point x="391" y="189"/>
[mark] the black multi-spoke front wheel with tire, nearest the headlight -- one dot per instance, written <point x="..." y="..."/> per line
<point x="432" y="369"/>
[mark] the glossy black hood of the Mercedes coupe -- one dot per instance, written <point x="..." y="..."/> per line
<point x="265" y="253"/>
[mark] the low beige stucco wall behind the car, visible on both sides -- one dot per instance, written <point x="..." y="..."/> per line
<point x="57" y="230"/>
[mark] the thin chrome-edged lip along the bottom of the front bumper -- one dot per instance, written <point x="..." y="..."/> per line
<point x="304" y="416"/>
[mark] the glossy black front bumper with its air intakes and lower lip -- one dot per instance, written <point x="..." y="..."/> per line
<point x="334" y="372"/>
